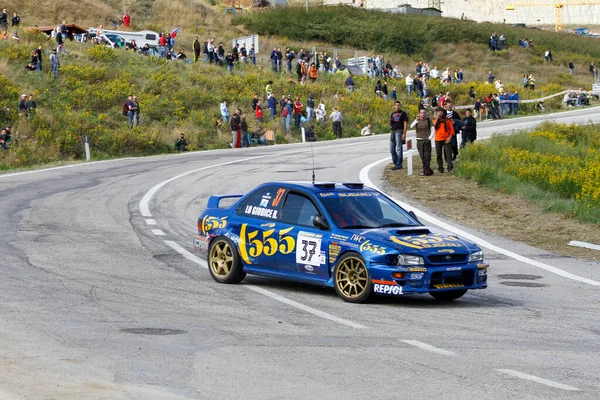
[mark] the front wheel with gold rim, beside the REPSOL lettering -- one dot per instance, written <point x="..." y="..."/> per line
<point x="351" y="278"/>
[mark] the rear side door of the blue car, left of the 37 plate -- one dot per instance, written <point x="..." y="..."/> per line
<point x="258" y="228"/>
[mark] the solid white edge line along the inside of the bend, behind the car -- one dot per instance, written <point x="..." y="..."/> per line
<point x="364" y="178"/>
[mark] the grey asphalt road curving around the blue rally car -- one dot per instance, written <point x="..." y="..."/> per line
<point x="101" y="299"/>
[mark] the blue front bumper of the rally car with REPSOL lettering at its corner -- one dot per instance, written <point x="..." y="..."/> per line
<point x="391" y="280"/>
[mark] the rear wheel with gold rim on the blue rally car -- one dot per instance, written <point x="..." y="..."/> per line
<point x="224" y="261"/>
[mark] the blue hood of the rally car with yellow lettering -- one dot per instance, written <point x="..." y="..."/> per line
<point x="421" y="239"/>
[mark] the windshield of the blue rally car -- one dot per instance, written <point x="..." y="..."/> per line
<point x="361" y="210"/>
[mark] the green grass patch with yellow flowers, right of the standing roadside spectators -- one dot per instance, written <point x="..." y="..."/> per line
<point x="558" y="166"/>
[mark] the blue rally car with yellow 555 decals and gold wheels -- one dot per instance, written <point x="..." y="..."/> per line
<point x="346" y="236"/>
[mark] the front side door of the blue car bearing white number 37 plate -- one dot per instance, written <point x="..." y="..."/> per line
<point x="309" y="261"/>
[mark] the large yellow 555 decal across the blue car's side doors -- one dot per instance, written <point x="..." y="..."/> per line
<point x="256" y="243"/>
